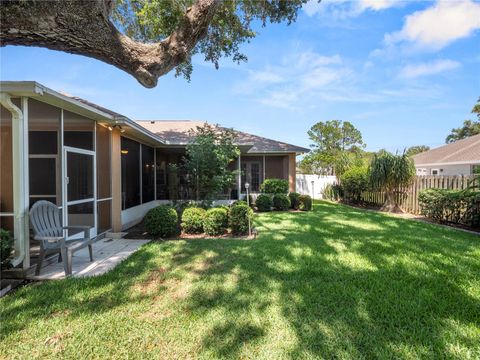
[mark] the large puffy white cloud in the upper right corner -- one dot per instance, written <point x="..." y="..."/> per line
<point x="439" y="25"/>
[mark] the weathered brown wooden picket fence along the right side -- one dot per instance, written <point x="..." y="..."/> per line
<point x="408" y="197"/>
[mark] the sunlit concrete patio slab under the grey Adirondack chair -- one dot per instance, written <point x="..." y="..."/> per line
<point x="107" y="253"/>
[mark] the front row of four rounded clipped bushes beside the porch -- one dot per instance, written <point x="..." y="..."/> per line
<point x="162" y="221"/>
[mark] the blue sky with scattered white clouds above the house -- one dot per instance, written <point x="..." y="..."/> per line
<point x="404" y="73"/>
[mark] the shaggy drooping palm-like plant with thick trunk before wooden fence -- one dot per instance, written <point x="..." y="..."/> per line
<point x="389" y="173"/>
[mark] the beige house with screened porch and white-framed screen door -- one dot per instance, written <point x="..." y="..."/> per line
<point x="100" y="167"/>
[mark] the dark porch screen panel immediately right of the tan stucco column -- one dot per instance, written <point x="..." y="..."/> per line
<point x="130" y="152"/>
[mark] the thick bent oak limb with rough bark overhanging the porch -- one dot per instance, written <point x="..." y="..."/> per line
<point x="83" y="27"/>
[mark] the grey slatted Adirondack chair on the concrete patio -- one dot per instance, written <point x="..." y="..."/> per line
<point x="48" y="229"/>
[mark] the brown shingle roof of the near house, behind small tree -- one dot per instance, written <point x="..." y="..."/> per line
<point x="176" y="132"/>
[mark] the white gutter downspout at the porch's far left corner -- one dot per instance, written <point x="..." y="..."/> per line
<point x="20" y="179"/>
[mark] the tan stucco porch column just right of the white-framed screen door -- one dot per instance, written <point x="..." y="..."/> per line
<point x="116" y="157"/>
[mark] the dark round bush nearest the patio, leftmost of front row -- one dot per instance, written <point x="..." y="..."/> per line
<point x="161" y="221"/>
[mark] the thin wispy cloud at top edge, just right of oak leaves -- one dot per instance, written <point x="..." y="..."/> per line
<point x="342" y="9"/>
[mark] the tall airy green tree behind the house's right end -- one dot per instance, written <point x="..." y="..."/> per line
<point x="336" y="146"/>
